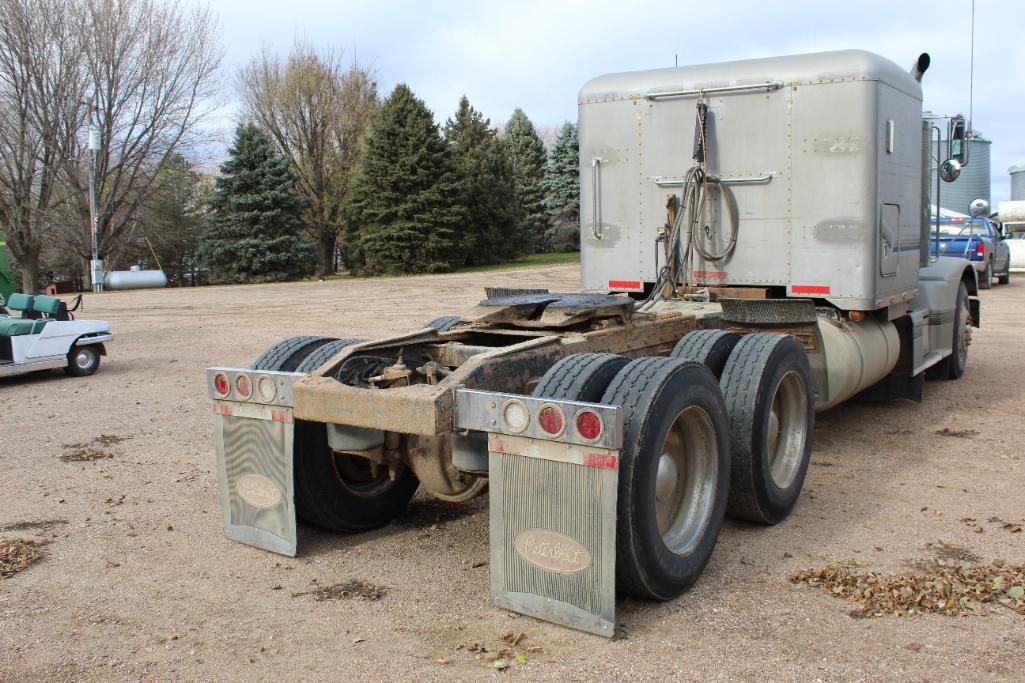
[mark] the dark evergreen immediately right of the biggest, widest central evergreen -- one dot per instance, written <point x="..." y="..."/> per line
<point x="488" y="187"/>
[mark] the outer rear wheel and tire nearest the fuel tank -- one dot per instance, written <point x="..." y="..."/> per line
<point x="768" y="467"/>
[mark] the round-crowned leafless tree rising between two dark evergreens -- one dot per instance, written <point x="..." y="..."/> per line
<point x="318" y="112"/>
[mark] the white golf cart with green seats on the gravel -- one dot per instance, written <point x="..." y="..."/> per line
<point x="47" y="336"/>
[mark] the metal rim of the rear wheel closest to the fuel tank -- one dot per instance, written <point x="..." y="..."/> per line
<point x="788" y="430"/>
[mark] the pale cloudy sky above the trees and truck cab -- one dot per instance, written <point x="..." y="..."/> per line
<point x="537" y="55"/>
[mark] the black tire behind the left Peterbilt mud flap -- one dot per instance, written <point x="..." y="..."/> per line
<point x="341" y="493"/>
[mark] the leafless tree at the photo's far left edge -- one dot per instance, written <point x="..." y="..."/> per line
<point x="42" y="86"/>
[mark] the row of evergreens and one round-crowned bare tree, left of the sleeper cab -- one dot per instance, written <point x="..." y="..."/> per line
<point x="379" y="185"/>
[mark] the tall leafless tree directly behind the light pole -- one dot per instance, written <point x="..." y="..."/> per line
<point x="152" y="82"/>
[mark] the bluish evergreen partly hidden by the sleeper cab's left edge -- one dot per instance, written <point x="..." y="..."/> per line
<point x="562" y="191"/>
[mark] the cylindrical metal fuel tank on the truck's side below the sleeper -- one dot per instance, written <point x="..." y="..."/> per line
<point x="858" y="355"/>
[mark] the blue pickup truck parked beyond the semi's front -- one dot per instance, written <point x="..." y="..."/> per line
<point x="980" y="242"/>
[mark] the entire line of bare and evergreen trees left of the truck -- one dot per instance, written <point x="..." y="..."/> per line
<point x="322" y="172"/>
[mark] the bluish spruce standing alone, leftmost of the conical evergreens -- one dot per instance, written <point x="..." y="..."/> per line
<point x="255" y="219"/>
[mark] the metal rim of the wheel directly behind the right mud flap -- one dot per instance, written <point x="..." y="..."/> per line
<point x="685" y="481"/>
